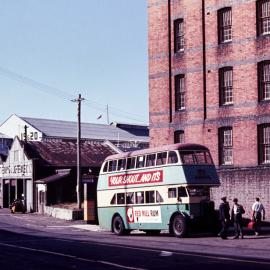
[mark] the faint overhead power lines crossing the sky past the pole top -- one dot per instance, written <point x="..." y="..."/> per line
<point x="47" y="89"/>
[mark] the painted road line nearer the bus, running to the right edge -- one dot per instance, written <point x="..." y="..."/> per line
<point x="179" y="253"/>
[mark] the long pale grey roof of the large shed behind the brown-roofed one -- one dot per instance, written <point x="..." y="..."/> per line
<point x="68" y="129"/>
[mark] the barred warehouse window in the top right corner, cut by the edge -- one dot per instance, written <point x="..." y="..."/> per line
<point x="263" y="17"/>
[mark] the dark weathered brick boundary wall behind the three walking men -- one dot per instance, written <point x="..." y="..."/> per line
<point x="245" y="184"/>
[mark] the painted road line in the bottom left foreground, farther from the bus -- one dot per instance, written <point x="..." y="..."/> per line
<point x="72" y="257"/>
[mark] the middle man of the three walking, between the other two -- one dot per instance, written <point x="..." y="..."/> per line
<point x="237" y="212"/>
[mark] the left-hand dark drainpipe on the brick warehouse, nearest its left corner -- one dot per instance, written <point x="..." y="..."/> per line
<point x="170" y="60"/>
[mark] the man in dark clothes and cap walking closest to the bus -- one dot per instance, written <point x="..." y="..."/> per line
<point x="224" y="217"/>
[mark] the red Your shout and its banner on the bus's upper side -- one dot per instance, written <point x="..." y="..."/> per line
<point x="136" y="178"/>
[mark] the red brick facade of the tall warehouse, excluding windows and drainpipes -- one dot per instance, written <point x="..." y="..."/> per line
<point x="243" y="54"/>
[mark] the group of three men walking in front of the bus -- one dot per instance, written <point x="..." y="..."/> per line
<point x="258" y="213"/>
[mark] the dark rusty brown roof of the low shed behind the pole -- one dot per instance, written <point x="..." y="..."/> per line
<point x="64" y="154"/>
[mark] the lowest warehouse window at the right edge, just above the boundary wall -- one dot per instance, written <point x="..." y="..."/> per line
<point x="264" y="143"/>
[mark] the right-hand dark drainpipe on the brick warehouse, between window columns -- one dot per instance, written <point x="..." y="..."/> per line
<point x="204" y="60"/>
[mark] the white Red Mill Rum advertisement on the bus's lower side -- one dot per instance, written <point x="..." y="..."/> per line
<point x="144" y="214"/>
